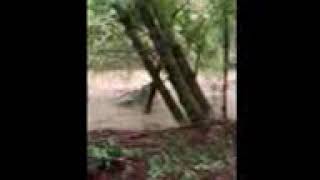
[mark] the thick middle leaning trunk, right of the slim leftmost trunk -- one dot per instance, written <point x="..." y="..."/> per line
<point x="176" y="77"/>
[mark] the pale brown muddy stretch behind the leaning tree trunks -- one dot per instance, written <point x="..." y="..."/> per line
<point x="104" y="89"/>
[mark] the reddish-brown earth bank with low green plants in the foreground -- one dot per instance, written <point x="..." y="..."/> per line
<point x="174" y="154"/>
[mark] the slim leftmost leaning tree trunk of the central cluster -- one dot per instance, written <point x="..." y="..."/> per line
<point x="126" y="20"/>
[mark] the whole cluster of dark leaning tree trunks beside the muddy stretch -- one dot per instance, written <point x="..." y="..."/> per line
<point x="172" y="58"/>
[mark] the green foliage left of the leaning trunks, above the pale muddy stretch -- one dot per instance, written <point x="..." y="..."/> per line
<point x="105" y="37"/>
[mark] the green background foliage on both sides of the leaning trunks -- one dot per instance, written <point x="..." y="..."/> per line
<point x="196" y="24"/>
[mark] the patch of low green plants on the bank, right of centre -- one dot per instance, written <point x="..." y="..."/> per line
<point x="184" y="161"/>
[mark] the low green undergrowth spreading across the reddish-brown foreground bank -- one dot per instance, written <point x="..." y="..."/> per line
<point x="177" y="159"/>
